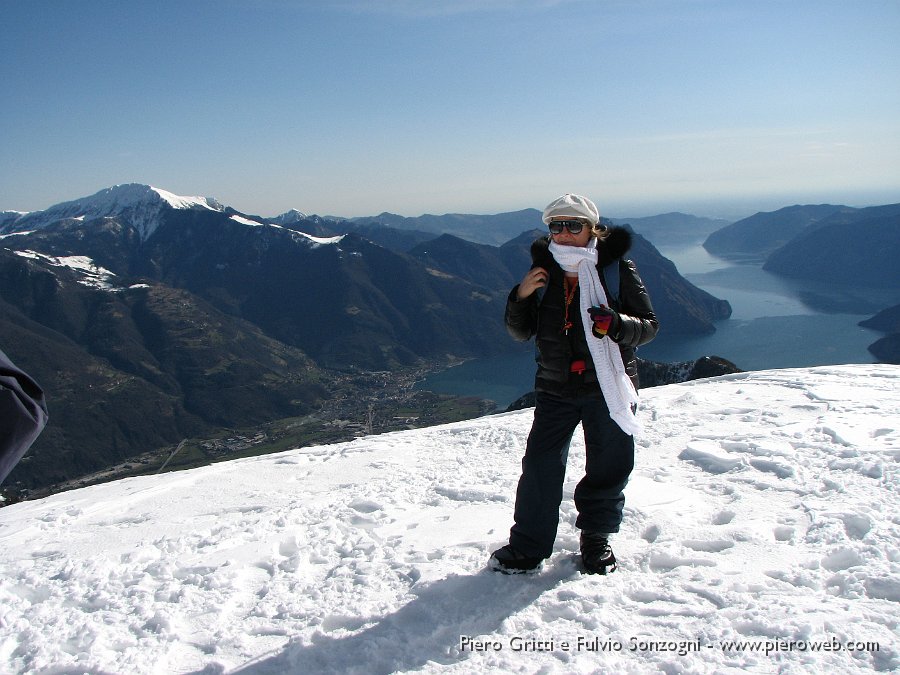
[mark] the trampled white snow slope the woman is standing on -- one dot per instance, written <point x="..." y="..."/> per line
<point x="760" y="535"/>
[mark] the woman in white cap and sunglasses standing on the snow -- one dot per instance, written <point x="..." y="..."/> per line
<point x="588" y="310"/>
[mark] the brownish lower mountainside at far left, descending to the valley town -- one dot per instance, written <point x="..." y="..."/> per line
<point x="133" y="370"/>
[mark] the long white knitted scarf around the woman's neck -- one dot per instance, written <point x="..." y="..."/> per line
<point x="617" y="387"/>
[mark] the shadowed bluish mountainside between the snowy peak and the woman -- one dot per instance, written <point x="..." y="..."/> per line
<point x="345" y="301"/>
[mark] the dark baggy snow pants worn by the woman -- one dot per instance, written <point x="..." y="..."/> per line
<point x="609" y="460"/>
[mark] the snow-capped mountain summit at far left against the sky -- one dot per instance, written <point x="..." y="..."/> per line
<point x="140" y="204"/>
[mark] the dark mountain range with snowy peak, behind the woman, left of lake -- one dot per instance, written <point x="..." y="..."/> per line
<point x="149" y="317"/>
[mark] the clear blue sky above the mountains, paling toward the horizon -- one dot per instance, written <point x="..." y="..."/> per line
<point x="348" y="107"/>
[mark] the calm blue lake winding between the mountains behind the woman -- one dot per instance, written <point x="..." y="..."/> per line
<point x="775" y="323"/>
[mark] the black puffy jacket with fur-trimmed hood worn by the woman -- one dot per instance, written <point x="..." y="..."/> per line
<point x="542" y="315"/>
